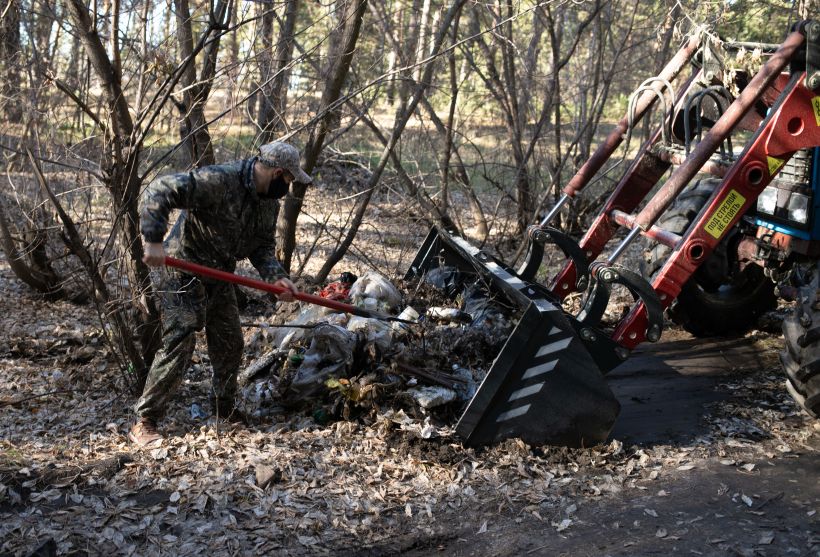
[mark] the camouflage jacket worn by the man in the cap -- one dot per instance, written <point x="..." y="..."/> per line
<point x="226" y="219"/>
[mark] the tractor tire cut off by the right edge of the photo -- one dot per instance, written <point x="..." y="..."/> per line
<point x="801" y="357"/>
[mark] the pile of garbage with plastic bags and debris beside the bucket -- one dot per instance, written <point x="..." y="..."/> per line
<point x="337" y="365"/>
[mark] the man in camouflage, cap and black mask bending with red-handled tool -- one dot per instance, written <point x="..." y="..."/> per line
<point x="231" y="214"/>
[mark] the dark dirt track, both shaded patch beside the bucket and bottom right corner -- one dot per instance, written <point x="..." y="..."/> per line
<point x="754" y="500"/>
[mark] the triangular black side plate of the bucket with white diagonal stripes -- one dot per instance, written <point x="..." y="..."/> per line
<point x="544" y="387"/>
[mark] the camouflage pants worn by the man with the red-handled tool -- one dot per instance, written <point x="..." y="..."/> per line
<point x="188" y="304"/>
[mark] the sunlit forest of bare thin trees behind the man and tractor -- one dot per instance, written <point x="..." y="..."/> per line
<point x="457" y="112"/>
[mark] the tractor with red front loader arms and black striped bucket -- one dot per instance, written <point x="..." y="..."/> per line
<point x="724" y="196"/>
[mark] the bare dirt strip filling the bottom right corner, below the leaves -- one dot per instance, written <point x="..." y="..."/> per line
<point x="715" y="510"/>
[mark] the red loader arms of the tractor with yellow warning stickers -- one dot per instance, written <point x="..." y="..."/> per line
<point x="793" y="123"/>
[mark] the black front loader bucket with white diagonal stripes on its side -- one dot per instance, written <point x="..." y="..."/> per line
<point x="547" y="384"/>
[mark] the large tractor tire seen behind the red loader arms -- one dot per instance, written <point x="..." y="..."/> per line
<point x="719" y="299"/>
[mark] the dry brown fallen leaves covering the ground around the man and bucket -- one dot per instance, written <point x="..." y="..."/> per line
<point x="296" y="482"/>
